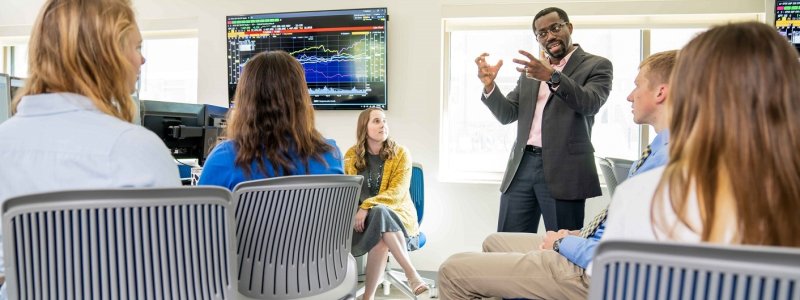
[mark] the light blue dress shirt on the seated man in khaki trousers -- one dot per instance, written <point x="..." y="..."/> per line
<point x="580" y="250"/>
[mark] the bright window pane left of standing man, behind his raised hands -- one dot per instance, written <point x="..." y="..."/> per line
<point x="472" y="133"/>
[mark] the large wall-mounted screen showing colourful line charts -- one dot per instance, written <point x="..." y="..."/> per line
<point x="343" y="52"/>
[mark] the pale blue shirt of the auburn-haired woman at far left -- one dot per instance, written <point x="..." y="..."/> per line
<point x="62" y="141"/>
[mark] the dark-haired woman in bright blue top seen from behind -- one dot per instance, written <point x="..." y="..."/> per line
<point x="271" y="127"/>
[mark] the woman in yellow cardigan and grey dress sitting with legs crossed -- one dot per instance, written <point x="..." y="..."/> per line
<point x="386" y="218"/>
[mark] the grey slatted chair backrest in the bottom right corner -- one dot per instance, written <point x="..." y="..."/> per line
<point x="647" y="270"/>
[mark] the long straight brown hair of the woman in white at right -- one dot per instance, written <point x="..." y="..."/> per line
<point x="735" y="136"/>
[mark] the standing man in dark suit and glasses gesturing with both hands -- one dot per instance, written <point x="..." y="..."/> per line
<point x="551" y="169"/>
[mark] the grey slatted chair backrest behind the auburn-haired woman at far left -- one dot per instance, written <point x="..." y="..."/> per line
<point x="170" y="243"/>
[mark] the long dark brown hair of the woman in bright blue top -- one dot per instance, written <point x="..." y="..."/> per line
<point x="272" y="116"/>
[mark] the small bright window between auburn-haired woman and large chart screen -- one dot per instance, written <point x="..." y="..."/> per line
<point x="170" y="70"/>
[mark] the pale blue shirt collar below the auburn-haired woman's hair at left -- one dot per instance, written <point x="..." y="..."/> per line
<point x="55" y="103"/>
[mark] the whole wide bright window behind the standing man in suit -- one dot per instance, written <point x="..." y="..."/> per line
<point x="475" y="146"/>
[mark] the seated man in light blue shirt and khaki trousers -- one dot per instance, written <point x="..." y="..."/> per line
<point x="513" y="267"/>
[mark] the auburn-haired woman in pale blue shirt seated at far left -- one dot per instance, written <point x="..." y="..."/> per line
<point x="71" y="127"/>
